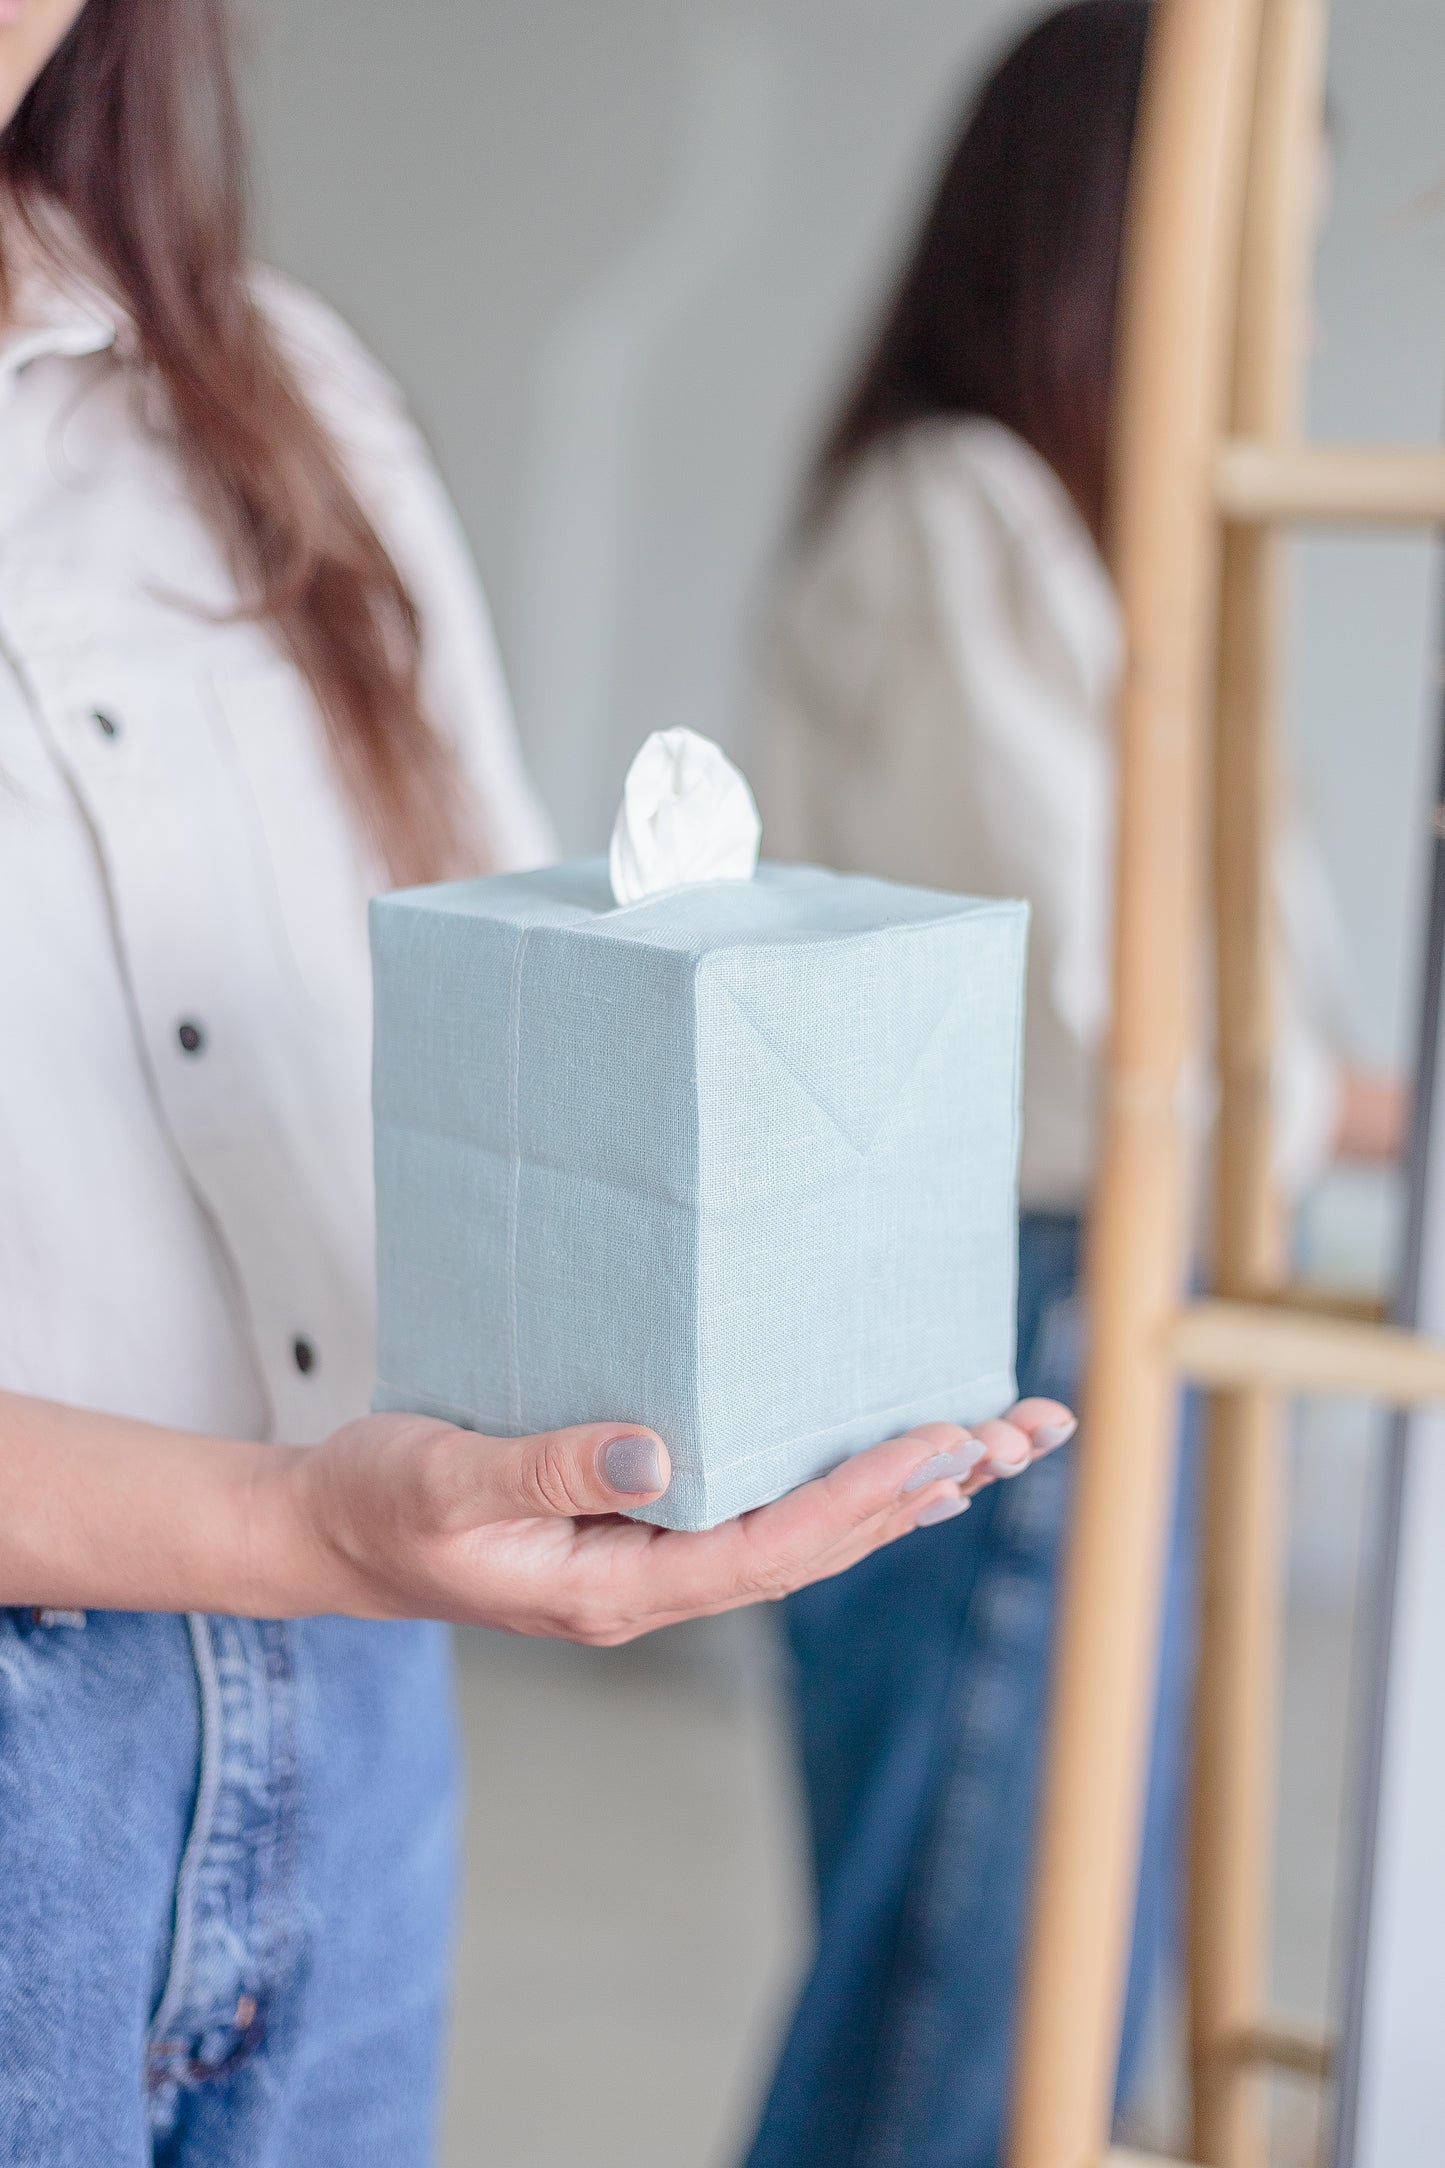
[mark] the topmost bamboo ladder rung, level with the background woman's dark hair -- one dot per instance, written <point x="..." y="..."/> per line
<point x="1329" y="485"/>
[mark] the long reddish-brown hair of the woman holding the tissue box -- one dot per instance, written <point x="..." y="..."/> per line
<point x="133" y="129"/>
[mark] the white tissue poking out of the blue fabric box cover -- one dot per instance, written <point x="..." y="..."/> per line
<point x="686" y="816"/>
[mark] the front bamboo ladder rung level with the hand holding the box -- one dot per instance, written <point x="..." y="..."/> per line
<point x="1297" y="1352"/>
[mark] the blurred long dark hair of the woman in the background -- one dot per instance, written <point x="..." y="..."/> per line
<point x="1008" y="300"/>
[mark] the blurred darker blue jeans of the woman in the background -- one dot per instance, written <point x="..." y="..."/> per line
<point x="922" y="1688"/>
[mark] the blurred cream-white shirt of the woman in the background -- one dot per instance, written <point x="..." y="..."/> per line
<point x="937" y="706"/>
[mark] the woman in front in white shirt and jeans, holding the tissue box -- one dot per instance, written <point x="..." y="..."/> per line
<point x="244" y="680"/>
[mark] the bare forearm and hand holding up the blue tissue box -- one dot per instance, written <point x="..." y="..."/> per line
<point x="400" y="1517"/>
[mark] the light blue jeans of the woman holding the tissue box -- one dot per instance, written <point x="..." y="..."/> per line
<point x="226" y="1892"/>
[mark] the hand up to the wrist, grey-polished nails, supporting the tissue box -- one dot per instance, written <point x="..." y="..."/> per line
<point x="406" y="1517"/>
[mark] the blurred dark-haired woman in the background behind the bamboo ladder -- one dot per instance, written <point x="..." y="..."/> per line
<point x="937" y="706"/>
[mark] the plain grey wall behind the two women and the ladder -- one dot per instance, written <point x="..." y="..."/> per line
<point x="621" y="250"/>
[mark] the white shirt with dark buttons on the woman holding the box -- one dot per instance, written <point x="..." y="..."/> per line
<point x="185" y="992"/>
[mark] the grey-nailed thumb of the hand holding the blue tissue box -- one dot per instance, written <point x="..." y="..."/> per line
<point x="560" y="1475"/>
